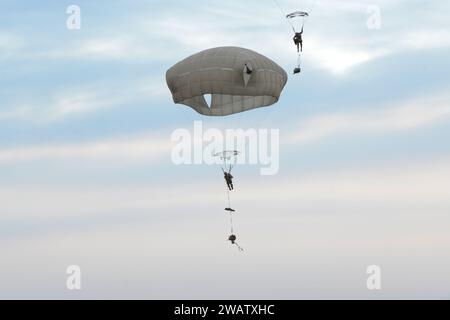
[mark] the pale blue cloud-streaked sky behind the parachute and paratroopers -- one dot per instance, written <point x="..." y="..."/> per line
<point x="87" y="179"/>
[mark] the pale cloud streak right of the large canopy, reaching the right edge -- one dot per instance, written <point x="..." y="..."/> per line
<point x="406" y="116"/>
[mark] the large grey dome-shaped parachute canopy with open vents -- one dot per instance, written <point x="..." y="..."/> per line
<point x="237" y="79"/>
